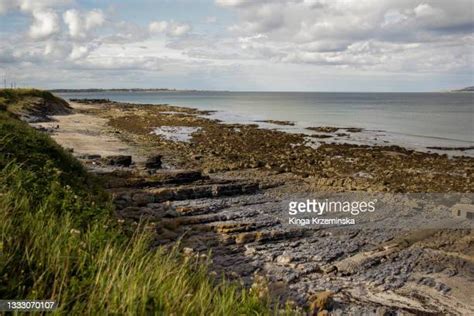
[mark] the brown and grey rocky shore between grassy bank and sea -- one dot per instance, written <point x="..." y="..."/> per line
<point x="217" y="189"/>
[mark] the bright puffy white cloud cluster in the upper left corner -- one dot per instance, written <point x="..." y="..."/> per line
<point x="49" y="41"/>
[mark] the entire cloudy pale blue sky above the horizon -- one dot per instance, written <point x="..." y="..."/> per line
<point x="243" y="45"/>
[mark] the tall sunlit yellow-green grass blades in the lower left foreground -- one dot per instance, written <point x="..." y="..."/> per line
<point x="95" y="269"/>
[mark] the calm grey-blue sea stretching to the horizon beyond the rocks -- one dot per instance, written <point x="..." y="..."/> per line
<point x="418" y="121"/>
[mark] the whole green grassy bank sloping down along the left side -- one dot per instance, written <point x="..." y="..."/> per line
<point x="59" y="240"/>
